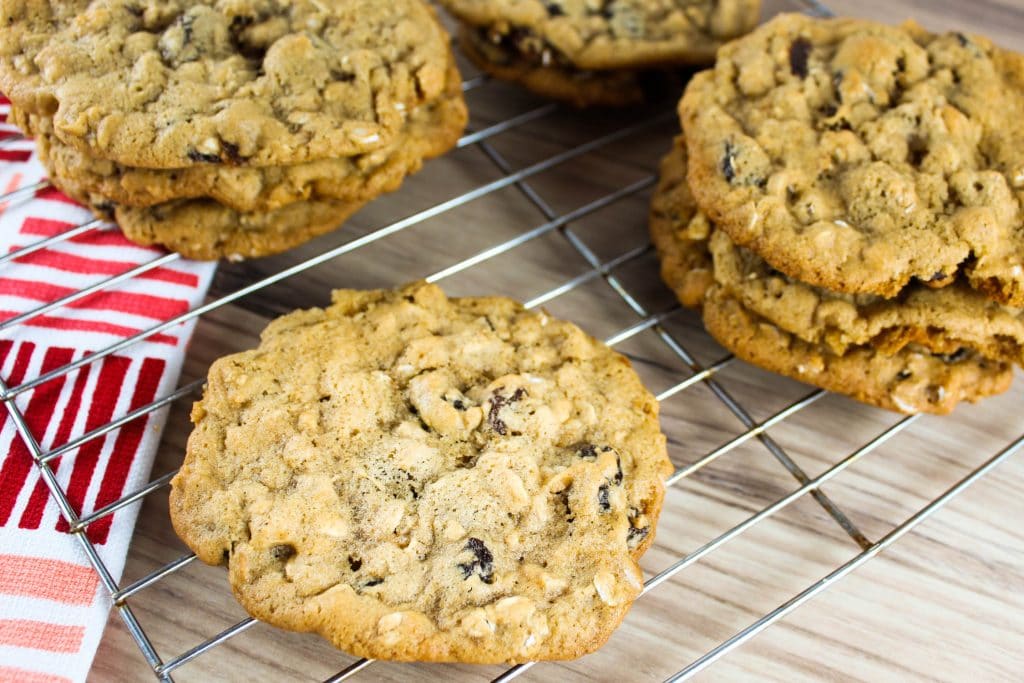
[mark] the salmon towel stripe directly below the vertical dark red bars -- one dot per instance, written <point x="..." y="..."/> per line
<point x="52" y="580"/>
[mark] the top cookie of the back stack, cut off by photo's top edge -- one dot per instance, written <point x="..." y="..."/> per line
<point x="616" y="34"/>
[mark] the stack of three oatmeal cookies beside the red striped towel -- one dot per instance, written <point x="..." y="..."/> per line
<point x="230" y="131"/>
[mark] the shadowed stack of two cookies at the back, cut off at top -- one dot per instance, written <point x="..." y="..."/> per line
<point x="610" y="53"/>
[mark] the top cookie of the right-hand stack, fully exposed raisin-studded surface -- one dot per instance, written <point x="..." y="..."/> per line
<point x="863" y="158"/>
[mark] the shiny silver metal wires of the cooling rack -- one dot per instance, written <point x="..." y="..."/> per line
<point x="701" y="375"/>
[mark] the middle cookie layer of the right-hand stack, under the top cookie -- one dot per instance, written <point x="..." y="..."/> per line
<point x="945" y="321"/>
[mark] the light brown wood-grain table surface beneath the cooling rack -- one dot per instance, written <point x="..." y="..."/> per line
<point x="947" y="603"/>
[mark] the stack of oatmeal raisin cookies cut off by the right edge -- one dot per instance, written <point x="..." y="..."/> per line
<point x="845" y="205"/>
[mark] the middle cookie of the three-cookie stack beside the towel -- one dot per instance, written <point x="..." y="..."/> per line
<point x="433" y="130"/>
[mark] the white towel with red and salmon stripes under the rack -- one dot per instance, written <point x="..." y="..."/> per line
<point x="54" y="608"/>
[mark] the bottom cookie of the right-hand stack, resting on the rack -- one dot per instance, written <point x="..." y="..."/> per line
<point x="911" y="381"/>
